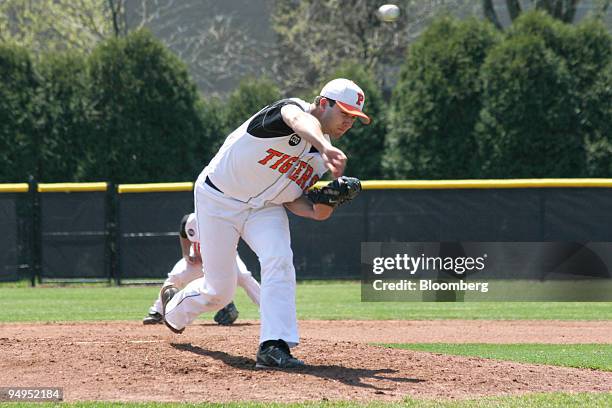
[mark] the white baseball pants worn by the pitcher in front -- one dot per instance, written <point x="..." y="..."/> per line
<point x="222" y="221"/>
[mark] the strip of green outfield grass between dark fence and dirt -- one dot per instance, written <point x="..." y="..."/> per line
<point x="316" y="300"/>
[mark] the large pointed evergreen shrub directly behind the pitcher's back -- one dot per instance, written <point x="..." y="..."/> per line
<point x="149" y="122"/>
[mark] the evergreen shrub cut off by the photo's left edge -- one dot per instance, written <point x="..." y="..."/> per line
<point x="19" y="146"/>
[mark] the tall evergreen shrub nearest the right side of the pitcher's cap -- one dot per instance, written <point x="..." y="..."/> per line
<point x="437" y="101"/>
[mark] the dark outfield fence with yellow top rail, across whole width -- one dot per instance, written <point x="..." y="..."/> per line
<point x="126" y="233"/>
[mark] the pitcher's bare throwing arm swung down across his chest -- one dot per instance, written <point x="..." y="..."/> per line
<point x="308" y="127"/>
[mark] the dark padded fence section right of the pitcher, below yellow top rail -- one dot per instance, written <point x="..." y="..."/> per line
<point x="330" y="249"/>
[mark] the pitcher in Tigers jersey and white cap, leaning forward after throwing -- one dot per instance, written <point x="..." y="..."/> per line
<point x="264" y="167"/>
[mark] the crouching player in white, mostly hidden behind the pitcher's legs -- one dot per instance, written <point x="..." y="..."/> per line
<point x="189" y="268"/>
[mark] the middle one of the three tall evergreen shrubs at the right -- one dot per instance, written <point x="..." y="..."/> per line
<point x="525" y="128"/>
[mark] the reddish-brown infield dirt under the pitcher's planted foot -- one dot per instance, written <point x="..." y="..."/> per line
<point x="126" y="361"/>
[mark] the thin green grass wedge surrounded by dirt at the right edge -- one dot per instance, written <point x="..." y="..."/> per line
<point x="594" y="356"/>
